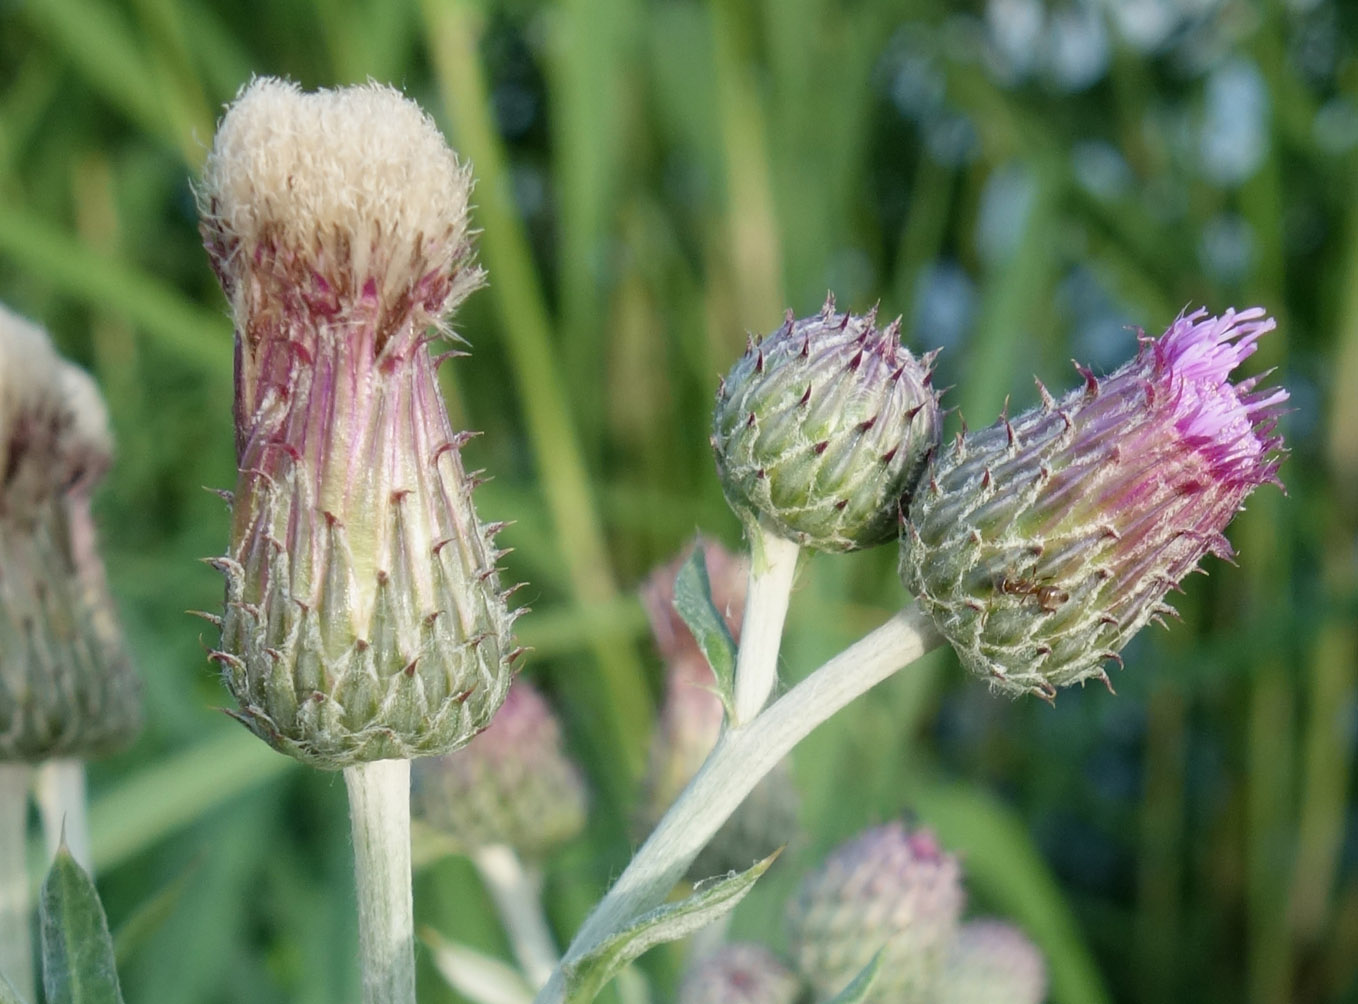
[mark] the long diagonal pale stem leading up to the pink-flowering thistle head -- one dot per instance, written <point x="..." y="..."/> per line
<point x="741" y="759"/>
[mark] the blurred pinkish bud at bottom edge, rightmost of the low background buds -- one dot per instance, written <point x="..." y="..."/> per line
<point x="992" y="963"/>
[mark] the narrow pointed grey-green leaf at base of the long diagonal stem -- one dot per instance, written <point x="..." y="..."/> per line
<point x="669" y="923"/>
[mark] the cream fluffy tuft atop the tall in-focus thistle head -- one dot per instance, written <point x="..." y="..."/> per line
<point x="348" y="200"/>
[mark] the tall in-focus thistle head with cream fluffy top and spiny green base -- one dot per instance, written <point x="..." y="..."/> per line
<point x="365" y="617"/>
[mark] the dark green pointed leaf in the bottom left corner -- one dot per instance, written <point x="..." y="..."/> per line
<point x="77" y="949"/>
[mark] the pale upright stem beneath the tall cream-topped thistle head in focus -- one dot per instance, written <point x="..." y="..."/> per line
<point x="380" y="812"/>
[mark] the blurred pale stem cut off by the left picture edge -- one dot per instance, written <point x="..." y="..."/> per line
<point x="16" y="906"/>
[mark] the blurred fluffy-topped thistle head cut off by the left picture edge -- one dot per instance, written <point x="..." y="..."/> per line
<point x="67" y="687"/>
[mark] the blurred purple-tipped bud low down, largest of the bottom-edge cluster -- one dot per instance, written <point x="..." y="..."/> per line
<point x="887" y="891"/>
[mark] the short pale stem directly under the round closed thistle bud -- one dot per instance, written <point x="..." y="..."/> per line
<point x="773" y="560"/>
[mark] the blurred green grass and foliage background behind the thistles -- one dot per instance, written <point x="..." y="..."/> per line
<point x="1022" y="181"/>
